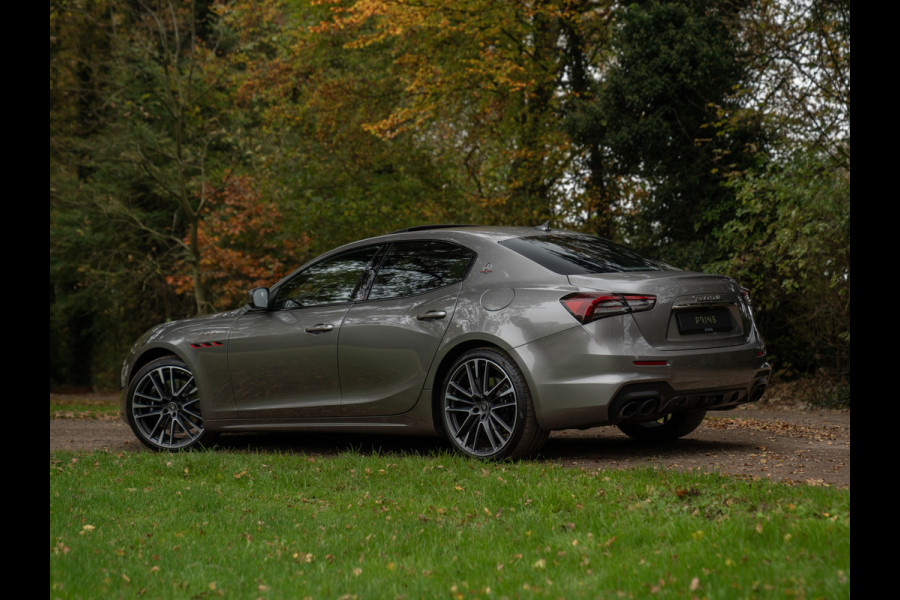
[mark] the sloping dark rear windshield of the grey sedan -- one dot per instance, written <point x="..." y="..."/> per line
<point x="582" y="254"/>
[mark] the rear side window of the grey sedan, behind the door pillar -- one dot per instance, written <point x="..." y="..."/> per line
<point x="411" y="268"/>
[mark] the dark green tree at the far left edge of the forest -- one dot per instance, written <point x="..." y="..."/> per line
<point x="101" y="275"/>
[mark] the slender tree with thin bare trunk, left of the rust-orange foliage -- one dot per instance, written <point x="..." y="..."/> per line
<point x="168" y="75"/>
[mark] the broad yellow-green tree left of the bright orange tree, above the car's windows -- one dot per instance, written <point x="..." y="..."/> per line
<point x="307" y="98"/>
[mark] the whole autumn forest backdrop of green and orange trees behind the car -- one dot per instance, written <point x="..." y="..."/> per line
<point x="199" y="148"/>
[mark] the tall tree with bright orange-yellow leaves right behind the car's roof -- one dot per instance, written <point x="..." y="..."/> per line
<point x="480" y="87"/>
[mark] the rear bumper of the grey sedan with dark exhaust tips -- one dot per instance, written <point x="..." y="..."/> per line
<point x="578" y="382"/>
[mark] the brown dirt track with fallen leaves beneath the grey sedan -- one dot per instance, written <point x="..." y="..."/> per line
<point x="779" y="442"/>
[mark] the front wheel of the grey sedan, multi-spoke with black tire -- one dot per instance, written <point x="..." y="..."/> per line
<point x="163" y="406"/>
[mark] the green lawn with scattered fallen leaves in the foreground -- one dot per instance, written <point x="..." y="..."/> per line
<point x="247" y="525"/>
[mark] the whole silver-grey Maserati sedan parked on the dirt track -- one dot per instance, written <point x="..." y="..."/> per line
<point x="490" y="336"/>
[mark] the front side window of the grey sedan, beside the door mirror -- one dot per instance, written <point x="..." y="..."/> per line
<point x="330" y="281"/>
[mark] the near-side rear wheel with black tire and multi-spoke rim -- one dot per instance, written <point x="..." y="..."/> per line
<point x="486" y="407"/>
